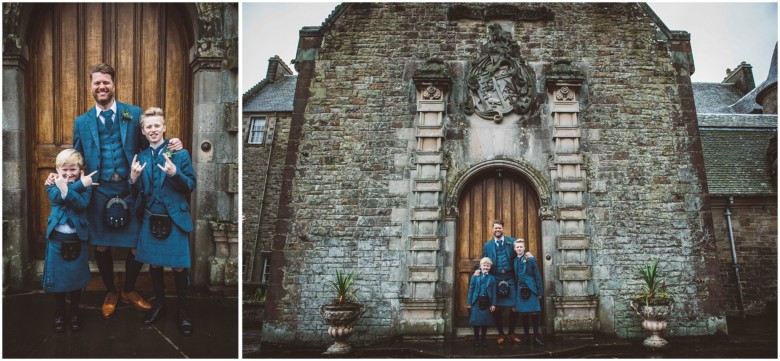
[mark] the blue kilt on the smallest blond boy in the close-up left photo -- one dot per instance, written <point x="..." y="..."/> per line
<point x="60" y="275"/>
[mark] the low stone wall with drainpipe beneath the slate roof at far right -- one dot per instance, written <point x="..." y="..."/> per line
<point x="754" y="224"/>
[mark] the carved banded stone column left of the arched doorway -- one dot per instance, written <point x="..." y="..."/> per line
<point x="421" y="309"/>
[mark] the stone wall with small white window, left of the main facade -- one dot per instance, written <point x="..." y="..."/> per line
<point x="263" y="166"/>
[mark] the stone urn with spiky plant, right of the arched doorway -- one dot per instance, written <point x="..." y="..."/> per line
<point x="653" y="304"/>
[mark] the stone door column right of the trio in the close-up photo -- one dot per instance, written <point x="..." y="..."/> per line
<point x="215" y="153"/>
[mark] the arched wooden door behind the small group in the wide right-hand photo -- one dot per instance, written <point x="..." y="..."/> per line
<point x="492" y="195"/>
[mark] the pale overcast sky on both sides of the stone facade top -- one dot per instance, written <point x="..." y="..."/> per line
<point x="722" y="34"/>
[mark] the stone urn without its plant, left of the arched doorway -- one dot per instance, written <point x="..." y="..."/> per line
<point x="341" y="318"/>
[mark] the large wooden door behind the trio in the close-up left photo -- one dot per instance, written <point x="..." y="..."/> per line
<point x="148" y="45"/>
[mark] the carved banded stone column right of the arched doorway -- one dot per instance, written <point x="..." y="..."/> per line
<point x="575" y="306"/>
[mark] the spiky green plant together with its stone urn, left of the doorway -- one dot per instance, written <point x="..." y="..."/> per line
<point x="342" y="313"/>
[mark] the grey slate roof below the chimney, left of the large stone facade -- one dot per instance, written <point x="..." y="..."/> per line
<point x="272" y="97"/>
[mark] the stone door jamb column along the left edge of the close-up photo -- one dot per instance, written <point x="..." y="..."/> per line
<point x="16" y="263"/>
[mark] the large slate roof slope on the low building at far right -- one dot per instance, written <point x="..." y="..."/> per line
<point x="735" y="147"/>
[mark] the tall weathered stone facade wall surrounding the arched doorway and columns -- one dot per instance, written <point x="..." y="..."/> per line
<point x="350" y="195"/>
